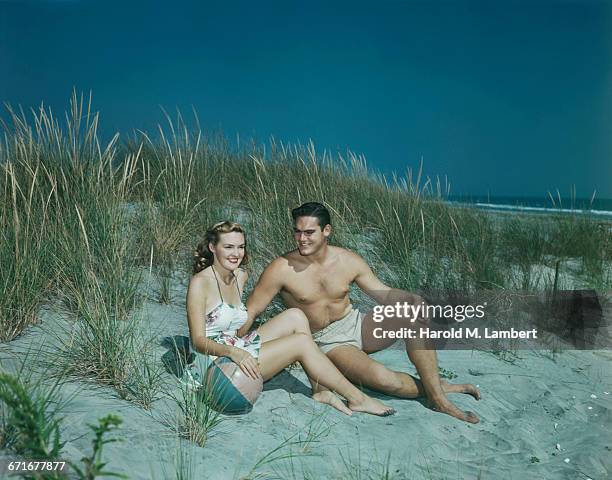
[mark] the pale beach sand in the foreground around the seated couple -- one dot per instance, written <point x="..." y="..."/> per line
<point x="542" y="416"/>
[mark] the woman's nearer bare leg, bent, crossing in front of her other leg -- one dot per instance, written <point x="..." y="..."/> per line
<point x="277" y="354"/>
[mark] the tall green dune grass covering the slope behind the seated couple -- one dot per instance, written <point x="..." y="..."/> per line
<point x="81" y="220"/>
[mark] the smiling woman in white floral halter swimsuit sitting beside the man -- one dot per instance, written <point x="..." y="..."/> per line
<point x="215" y="312"/>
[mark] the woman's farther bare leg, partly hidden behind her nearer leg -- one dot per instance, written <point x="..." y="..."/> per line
<point x="287" y="323"/>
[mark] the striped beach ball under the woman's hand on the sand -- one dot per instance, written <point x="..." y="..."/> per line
<point x="229" y="389"/>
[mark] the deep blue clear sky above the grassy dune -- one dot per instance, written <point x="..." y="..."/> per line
<point x="507" y="97"/>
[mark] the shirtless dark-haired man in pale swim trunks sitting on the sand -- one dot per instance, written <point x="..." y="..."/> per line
<point x="316" y="278"/>
